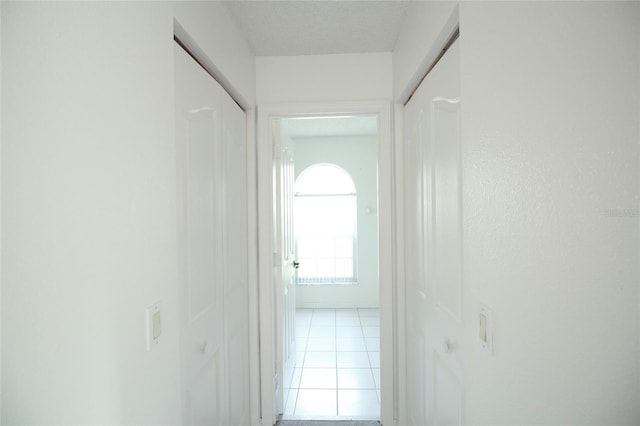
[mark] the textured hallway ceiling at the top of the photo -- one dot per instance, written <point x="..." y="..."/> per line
<point x="308" y="27"/>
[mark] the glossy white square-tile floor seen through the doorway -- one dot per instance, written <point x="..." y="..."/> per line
<point x="337" y="370"/>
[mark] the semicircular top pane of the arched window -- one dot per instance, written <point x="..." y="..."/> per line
<point x="324" y="179"/>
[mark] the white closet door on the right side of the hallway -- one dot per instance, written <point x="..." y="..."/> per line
<point x="434" y="247"/>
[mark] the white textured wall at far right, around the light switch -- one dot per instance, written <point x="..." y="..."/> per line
<point x="551" y="97"/>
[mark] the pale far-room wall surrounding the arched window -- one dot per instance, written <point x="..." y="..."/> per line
<point x="357" y="155"/>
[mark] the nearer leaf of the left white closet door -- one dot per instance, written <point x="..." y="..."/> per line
<point x="200" y="286"/>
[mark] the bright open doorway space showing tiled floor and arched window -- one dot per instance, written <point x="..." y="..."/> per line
<point x="336" y="369"/>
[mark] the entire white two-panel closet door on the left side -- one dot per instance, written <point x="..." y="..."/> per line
<point x="212" y="248"/>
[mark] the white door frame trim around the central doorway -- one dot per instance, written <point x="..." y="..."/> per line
<point x="386" y="235"/>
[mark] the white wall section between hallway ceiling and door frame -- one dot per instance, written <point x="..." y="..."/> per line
<point x="323" y="78"/>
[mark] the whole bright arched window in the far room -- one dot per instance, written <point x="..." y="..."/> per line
<point x="325" y="225"/>
